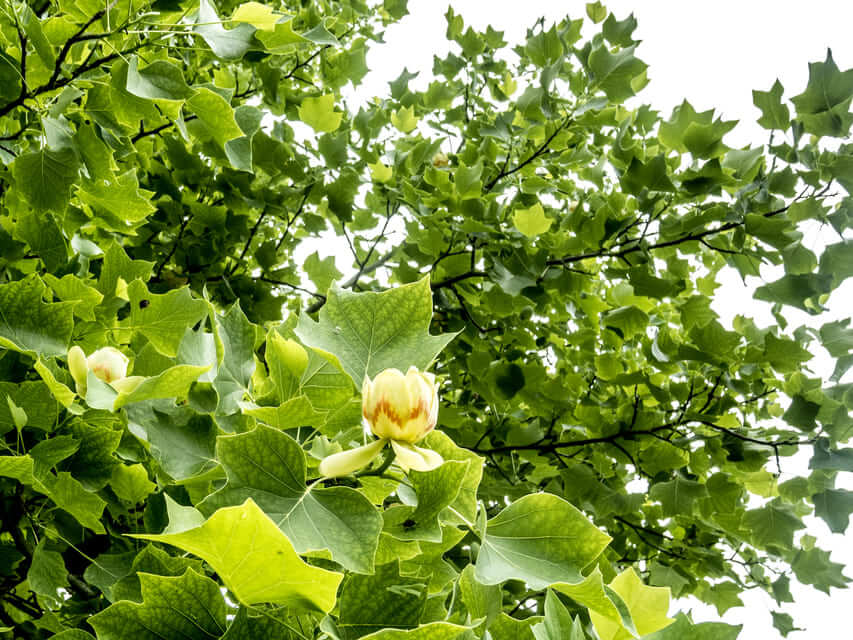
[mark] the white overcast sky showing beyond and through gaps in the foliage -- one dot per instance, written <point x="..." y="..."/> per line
<point x="713" y="54"/>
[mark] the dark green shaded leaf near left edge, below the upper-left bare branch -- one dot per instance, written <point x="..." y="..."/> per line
<point x="45" y="178"/>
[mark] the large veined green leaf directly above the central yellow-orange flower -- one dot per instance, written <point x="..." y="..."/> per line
<point x="370" y="332"/>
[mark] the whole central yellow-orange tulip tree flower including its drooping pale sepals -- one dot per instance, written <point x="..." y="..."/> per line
<point x="400" y="409"/>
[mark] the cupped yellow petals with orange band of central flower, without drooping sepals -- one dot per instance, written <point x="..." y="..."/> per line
<point x="400" y="407"/>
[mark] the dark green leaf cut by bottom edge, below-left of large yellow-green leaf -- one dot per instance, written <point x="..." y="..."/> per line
<point x="189" y="606"/>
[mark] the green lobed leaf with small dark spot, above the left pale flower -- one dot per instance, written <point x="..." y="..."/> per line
<point x="165" y="316"/>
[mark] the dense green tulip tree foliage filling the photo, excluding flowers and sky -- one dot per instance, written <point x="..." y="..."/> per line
<point x="549" y="252"/>
